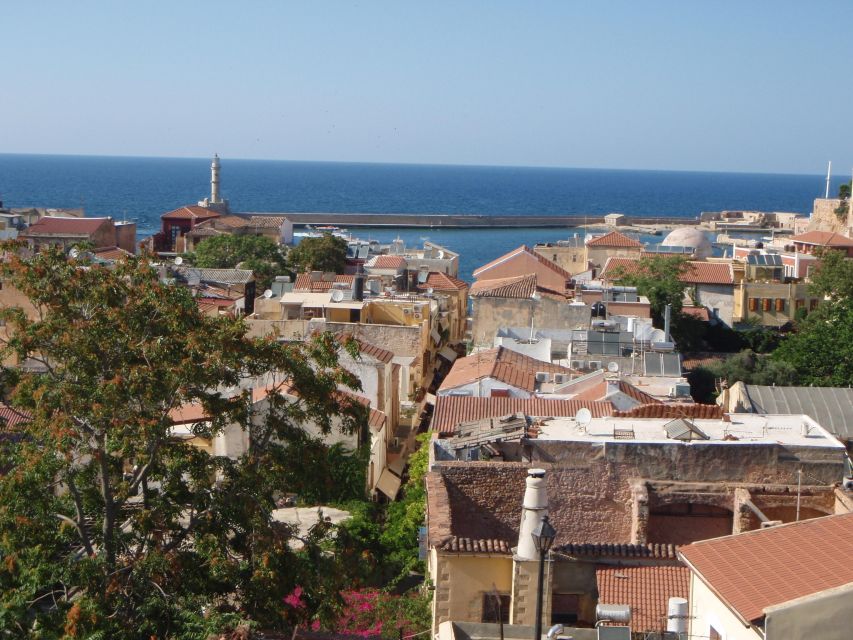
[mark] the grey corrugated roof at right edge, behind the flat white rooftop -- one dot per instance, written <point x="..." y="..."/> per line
<point x="831" y="407"/>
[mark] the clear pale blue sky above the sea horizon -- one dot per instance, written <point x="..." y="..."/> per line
<point x="730" y="86"/>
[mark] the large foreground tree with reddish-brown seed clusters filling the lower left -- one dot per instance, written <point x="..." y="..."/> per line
<point x="113" y="525"/>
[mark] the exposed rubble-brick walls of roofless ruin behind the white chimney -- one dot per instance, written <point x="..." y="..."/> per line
<point x="475" y="506"/>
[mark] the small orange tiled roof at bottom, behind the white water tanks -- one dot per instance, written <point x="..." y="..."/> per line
<point x="646" y="589"/>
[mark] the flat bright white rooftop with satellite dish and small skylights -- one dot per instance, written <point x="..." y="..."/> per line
<point x="741" y="428"/>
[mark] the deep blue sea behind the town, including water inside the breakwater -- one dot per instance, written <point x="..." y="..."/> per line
<point x="142" y="189"/>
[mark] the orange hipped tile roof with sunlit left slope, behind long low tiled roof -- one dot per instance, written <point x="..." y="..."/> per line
<point x="506" y="365"/>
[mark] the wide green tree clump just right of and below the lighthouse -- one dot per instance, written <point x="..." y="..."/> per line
<point x="257" y="253"/>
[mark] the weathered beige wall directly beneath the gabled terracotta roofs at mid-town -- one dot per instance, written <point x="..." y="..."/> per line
<point x="489" y="314"/>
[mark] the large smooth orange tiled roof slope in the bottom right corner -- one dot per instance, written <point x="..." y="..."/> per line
<point x="758" y="569"/>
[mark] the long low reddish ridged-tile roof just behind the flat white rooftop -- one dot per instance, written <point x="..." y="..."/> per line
<point x="450" y="411"/>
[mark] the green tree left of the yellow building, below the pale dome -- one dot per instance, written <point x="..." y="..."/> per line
<point x="657" y="277"/>
